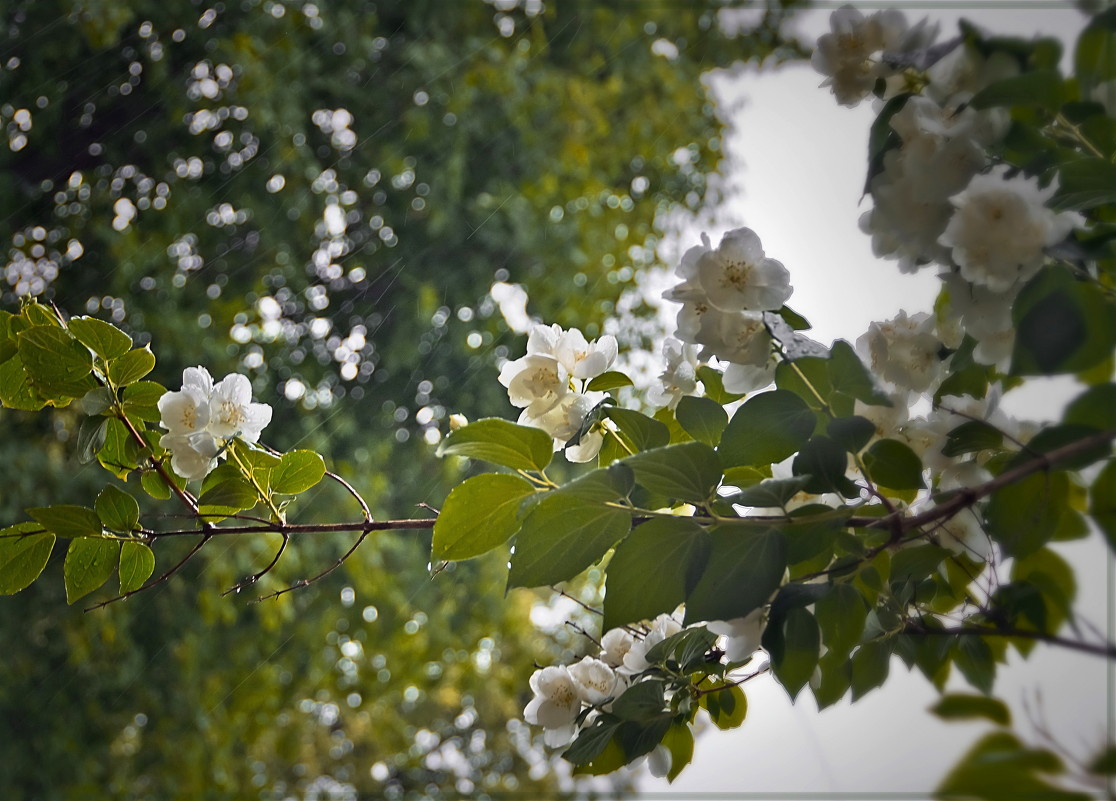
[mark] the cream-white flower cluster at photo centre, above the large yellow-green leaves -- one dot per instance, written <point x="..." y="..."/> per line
<point x="550" y="384"/>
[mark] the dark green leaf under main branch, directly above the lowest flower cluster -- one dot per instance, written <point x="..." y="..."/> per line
<point x="745" y="567"/>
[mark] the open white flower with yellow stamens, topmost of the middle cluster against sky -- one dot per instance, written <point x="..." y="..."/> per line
<point x="737" y="277"/>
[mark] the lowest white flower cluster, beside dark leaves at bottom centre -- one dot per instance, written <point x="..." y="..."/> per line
<point x="563" y="693"/>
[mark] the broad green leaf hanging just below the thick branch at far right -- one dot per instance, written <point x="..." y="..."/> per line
<point x="1023" y="517"/>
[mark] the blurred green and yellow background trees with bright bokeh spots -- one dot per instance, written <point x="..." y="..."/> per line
<point x="322" y="197"/>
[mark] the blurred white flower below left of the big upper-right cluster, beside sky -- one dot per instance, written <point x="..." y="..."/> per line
<point x="903" y="351"/>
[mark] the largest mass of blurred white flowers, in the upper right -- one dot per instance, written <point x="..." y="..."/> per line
<point x="937" y="199"/>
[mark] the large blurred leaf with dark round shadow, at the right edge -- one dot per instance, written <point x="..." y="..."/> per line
<point x="1063" y="326"/>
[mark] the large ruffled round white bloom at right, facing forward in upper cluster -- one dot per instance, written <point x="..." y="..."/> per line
<point x="1002" y="227"/>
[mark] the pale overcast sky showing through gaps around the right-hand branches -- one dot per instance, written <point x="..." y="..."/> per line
<point x="802" y="163"/>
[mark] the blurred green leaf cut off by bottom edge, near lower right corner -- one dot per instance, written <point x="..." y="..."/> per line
<point x="999" y="768"/>
